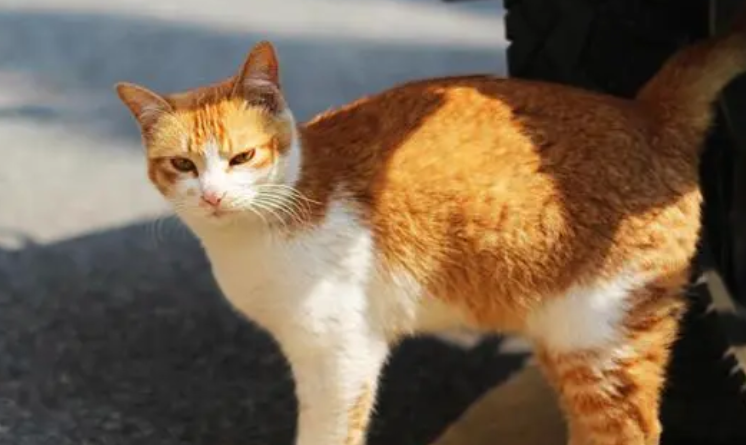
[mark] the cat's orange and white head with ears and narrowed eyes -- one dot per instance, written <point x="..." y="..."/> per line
<point x="222" y="152"/>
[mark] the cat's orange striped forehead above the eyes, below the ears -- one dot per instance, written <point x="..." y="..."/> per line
<point x="230" y="126"/>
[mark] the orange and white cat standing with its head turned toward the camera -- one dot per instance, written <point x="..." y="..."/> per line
<point x="492" y="204"/>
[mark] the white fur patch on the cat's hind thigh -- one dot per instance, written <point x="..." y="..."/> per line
<point x="586" y="317"/>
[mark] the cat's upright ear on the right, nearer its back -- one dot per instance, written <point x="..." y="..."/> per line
<point x="258" y="80"/>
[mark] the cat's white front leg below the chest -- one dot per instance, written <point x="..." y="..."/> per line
<point x="336" y="360"/>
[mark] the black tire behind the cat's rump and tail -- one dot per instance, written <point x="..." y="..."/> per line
<point x="614" y="46"/>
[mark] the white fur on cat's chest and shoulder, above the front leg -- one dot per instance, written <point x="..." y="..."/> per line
<point x="326" y="275"/>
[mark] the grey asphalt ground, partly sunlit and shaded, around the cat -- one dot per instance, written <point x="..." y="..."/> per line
<point x="111" y="329"/>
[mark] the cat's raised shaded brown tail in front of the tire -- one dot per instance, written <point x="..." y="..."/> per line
<point x="682" y="93"/>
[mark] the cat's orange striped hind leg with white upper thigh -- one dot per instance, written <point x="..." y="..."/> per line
<point x="605" y="351"/>
